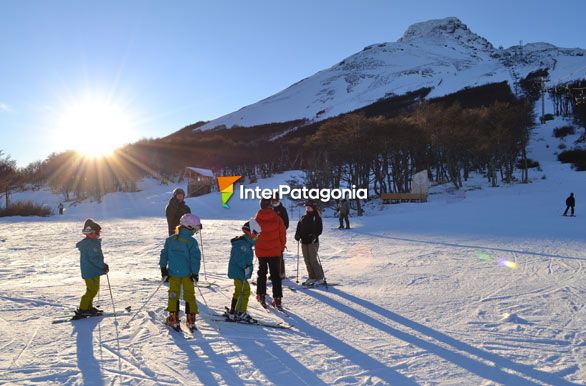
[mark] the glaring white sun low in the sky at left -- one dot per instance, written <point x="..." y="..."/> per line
<point x="94" y="126"/>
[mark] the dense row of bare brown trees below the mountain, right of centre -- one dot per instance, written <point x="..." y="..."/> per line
<point x="448" y="141"/>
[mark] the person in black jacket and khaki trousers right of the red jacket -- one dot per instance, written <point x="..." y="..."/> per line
<point x="309" y="228"/>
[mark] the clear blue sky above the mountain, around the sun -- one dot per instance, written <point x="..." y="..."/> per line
<point x="172" y="63"/>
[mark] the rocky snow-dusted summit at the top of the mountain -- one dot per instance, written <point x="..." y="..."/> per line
<point x="442" y="29"/>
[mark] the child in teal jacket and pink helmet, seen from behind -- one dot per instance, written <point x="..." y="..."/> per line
<point x="180" y="259"/>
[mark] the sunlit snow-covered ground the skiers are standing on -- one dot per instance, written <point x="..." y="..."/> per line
<point x="480" y="287"/>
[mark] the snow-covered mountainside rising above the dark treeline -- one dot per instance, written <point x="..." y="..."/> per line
<point x="440" y="54"/>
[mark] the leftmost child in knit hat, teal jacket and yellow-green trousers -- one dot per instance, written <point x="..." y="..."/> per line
<point x="91" y="261"/>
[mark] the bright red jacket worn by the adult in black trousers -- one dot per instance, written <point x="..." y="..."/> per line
<point x="273" y="237"/>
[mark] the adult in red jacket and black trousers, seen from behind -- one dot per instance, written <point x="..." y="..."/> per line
<point x="269" y="248"/>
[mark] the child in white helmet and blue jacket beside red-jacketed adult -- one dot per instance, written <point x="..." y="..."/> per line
<point x="240" y="269"/>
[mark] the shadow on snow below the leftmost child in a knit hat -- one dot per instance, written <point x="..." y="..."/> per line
<point x="87" y="363"/>
